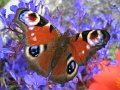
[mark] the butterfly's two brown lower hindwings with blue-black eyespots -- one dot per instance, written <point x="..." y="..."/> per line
<point x="60" y="67"/>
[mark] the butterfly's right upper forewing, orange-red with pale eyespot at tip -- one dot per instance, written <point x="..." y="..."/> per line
<point x="85" y="44"/>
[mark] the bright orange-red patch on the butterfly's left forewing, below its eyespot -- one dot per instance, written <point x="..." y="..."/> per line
<point x="41" y="35"/>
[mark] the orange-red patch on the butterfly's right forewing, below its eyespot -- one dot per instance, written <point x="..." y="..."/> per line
<point x="80" y="49"/>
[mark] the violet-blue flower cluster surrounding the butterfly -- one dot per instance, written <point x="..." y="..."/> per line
<point x="13" y="67"/>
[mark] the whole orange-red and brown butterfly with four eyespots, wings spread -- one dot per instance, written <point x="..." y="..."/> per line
<point x="52" y="54"/>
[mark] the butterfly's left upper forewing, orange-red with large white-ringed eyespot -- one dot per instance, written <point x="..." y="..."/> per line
<point x="37" y="30"/>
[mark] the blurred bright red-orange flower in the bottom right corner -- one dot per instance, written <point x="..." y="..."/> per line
<point x="109" y="78"/>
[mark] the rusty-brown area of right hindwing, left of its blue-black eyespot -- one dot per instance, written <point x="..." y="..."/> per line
<point x="59" y="73"/>
